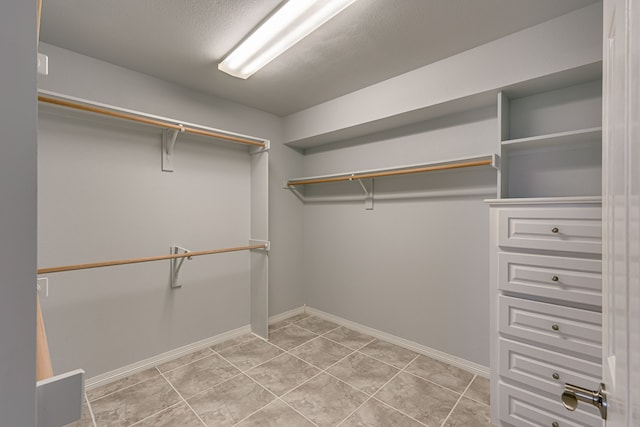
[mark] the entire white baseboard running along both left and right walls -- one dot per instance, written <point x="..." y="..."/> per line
<point x="142" y="365"/>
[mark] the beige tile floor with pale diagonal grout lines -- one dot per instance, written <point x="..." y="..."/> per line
<point x="312" y="372"/>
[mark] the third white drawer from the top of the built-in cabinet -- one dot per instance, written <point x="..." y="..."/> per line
<point x="568" y="329"/>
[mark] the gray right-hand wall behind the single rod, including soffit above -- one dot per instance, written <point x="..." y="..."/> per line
<point x="417" y="267"/>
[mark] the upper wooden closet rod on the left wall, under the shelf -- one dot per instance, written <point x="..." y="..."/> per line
<point x="147" y="121"/>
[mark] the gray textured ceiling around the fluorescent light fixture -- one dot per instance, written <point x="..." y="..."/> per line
<point x="183" y="40"/>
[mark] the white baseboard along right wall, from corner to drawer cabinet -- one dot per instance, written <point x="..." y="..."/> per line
<point x="472" y="367"/>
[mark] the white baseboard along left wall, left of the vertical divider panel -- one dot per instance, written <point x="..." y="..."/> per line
<point x="125" y="371"/>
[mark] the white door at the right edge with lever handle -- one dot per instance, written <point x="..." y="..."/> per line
<point x="621" y="210"/>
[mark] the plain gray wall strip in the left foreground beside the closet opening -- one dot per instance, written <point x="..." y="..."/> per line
<point x="17" y="213"/>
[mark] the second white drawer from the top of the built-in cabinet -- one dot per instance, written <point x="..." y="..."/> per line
<point x="568" y="279"/>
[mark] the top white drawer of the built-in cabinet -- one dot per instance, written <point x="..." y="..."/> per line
<point x="573" y="229"/>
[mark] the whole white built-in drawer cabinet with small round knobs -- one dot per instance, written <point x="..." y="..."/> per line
<point x="546" y="305"/>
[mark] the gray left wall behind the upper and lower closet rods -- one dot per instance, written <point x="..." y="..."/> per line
<point x="102" y="196"/>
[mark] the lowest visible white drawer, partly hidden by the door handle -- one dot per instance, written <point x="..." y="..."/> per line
<point x="519" y="407"/>
